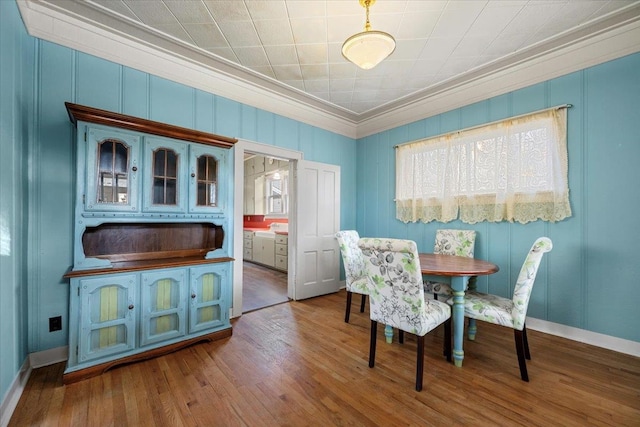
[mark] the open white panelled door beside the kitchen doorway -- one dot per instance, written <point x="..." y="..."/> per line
<point x="317" y="267"/>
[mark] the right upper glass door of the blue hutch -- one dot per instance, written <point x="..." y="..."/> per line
<point x="208" y="168"/>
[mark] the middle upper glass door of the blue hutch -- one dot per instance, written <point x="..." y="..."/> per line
<point x="163" y="189"/>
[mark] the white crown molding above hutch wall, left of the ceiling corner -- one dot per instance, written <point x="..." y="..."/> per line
<point x="52" y="23"/>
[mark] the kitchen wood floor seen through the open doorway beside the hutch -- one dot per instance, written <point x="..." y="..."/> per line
<point x="262" y="287"/>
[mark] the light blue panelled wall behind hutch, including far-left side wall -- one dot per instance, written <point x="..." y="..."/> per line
<point x="36" y="82"/>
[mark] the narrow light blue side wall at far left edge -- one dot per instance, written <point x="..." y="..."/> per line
<point x="16" y="109"/>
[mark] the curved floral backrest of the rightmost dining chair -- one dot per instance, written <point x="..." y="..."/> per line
<point x="526" y="278"/>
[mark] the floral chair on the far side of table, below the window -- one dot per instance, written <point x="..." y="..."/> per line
<point x="450" y="242"/>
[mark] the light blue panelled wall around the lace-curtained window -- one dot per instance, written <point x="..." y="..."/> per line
<point x="591" y="278"/>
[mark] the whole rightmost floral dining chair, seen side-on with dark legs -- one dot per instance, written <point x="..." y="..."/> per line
<point x="512" y="312"/>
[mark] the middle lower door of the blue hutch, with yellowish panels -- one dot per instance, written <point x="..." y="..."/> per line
<point x="163" y="305"/>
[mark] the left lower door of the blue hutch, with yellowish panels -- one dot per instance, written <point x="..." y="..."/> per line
<point x="107" y="316"/>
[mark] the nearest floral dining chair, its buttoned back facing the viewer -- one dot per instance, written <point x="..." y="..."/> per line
<point x="396" y="296"/>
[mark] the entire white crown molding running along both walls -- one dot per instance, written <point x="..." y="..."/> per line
<point x="612" y="37"/>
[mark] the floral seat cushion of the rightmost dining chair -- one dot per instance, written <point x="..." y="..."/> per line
<point x="488" y="308"/>
